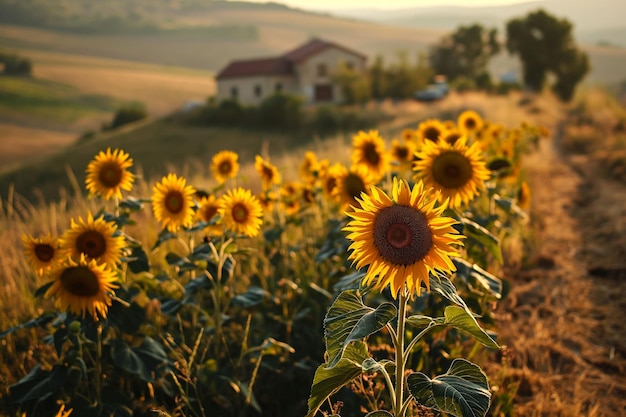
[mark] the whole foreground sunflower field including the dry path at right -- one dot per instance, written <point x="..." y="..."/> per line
<point x="242" y="285"/>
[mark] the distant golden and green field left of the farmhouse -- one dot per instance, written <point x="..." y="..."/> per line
<point x="70" y="94"/>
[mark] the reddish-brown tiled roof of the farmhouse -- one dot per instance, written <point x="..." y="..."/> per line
<point x="281" y="65"/>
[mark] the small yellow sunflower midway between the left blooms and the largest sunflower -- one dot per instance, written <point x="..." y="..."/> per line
<point x="241" y="212"/>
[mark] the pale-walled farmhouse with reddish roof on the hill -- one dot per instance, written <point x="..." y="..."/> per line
<point x="306" y="71"/>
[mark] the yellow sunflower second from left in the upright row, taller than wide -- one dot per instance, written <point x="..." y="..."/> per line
<point x="172" y="202"/>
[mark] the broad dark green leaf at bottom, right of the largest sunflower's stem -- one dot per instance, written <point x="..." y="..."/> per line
<point x="463" y="391"/>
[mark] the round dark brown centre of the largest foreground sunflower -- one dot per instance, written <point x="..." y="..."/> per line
<point x="402" y="235"/>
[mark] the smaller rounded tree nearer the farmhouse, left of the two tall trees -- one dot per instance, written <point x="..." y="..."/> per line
<point x="465" y="53"/>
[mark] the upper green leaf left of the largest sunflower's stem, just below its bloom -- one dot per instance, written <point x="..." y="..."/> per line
<point x="349" y="320"/>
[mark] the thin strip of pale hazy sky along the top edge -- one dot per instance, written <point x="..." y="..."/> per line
<point x="382" y="4"/>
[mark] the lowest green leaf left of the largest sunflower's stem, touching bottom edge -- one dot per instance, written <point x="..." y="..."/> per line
<point x="327" y="381"/>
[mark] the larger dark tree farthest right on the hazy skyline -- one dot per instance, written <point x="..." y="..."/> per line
<point x="546" y="46"/>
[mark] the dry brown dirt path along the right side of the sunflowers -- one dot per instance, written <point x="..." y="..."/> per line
<point x="564" y="321"/>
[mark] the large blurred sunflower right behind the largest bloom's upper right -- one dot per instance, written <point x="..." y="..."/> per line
<point x="457" y="171"/>
